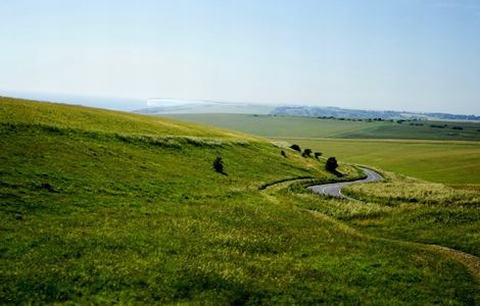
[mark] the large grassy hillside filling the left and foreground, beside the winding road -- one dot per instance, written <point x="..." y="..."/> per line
<point x="106" y="207"/>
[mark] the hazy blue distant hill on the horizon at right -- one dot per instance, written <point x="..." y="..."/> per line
<point x="337" y="112"/>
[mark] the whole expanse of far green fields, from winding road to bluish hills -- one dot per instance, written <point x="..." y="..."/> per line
<point x="445" y="161"/>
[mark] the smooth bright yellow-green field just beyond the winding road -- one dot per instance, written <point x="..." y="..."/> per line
<point x="456" y="163"/>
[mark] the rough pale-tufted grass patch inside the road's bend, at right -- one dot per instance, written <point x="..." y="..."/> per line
<point x="409" y="210"/>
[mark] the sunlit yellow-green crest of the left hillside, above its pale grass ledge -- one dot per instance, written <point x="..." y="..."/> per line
<point x="90" y="119"/>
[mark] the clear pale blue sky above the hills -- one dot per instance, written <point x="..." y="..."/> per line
<point x="415" y="55"/>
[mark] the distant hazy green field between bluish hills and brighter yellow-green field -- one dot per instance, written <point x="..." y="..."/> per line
<point x="292" y="127"/>
